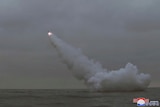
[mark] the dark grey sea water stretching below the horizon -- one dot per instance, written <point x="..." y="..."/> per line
<point x="72" y="98"/>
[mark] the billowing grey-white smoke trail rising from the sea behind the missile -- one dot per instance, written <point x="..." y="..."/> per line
<point x="97" y="78"/>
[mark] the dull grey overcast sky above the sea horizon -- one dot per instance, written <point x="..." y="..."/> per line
<point x="113" y="32"/>
